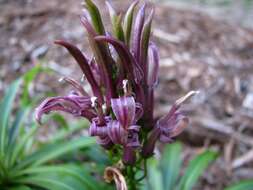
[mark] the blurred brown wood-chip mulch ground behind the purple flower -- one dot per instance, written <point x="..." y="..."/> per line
<point x="204" y="45"/>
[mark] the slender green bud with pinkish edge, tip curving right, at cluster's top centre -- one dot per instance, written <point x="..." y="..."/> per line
<point x="128" y="22"/>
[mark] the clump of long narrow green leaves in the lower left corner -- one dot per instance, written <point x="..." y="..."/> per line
<point x="23" y="164"/>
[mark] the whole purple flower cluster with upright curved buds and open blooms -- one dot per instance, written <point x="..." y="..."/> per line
<point x="123" y="74"/>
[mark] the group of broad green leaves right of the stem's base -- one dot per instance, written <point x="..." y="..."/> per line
<point x="164" y="174"/>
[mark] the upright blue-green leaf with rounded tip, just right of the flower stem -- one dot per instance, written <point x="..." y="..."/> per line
<point x="170" y="165"/>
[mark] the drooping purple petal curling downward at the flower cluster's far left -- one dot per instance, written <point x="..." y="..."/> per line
<point x="73" y="104"/>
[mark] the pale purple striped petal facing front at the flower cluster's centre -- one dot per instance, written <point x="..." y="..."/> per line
<point x="124" y="109"/>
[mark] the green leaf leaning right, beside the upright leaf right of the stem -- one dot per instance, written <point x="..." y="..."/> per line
<point x="195" y="168"/>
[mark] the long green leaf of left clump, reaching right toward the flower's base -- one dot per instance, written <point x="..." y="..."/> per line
<point x="56" y="150"/>
